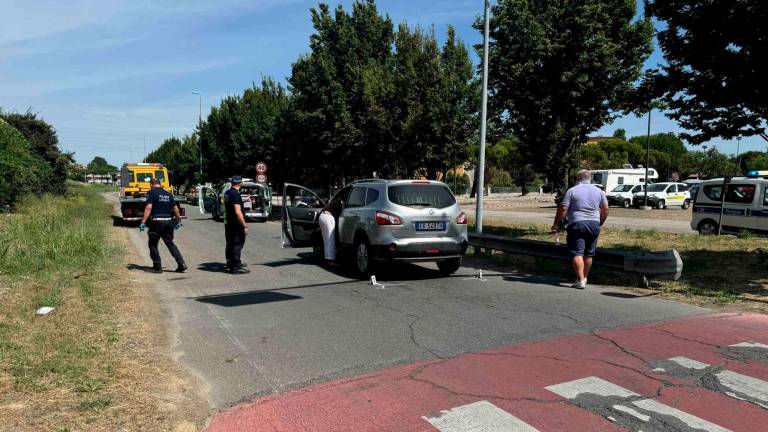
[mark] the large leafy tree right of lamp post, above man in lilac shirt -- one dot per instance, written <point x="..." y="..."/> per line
<point x="559" y="69"/>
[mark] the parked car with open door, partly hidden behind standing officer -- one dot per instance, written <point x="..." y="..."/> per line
<point x="257" y="200"/>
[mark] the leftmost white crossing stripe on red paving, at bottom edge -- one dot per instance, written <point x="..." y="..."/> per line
<point x="480" y="416"/>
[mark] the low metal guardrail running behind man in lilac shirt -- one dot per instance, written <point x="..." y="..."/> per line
<point x="665" y="265"/>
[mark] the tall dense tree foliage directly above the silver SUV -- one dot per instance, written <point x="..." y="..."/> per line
<point x="370" y="99"/>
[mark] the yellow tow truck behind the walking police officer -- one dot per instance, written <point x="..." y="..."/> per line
<point x="134" y="185"/>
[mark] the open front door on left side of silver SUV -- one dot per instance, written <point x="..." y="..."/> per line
<point x="301" y="211"/>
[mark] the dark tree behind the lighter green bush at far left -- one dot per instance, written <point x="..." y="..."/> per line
<point x="44" y="142"/>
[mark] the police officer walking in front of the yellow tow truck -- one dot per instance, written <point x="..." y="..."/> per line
<point x="164" y="217"/>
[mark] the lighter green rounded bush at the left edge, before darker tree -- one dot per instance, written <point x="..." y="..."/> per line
<point x="21" y="171"/>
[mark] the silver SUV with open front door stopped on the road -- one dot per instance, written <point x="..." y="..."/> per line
<point x="382" y="220"/>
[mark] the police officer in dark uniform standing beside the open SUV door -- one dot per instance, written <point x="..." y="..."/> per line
<point x="235" y="227"/>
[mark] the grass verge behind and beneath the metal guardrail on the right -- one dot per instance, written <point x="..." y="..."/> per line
<point x="721" y="269"/>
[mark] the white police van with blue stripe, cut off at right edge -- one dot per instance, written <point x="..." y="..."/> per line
<point x="745" y="206"/>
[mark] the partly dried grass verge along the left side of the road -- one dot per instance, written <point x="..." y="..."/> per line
<point x="89" y="364"/>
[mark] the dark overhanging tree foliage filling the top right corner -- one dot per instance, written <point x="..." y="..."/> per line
<point x="714" y="70"/>
